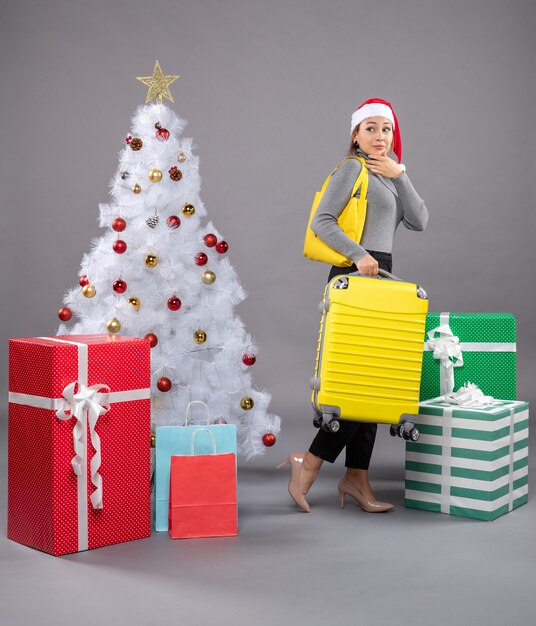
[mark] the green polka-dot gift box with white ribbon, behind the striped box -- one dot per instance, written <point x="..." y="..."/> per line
<point x="469" y="347"/>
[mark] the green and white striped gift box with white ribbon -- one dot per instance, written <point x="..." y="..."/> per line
<point x="469" y="462"/>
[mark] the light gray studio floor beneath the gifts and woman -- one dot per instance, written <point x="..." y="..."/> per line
<point x="331" y="566"/>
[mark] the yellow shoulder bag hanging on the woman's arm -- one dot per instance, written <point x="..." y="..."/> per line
<point x="351" y="221"/>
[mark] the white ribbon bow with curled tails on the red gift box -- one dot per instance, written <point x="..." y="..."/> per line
<point x="86" y="404"/>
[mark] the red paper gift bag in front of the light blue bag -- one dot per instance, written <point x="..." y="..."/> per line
<point x="202" y="494"/>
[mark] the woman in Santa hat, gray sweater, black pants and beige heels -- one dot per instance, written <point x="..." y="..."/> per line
<point x="391" y="199"/>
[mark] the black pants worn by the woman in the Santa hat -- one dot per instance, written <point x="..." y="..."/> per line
<point x="358" y="437"/>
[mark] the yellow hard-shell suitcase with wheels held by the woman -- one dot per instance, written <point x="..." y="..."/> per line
<point x="369" y="355"/>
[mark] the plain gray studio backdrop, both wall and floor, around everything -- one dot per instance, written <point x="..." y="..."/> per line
<point x="268" y="89"/>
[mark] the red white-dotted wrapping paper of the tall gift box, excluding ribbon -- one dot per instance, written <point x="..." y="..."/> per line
<point x="42" y="486"/>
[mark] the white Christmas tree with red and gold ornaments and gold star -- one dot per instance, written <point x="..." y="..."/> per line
<point x="161" y="272"/>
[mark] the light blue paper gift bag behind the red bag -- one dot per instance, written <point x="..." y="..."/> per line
<point x="175" y="440"/>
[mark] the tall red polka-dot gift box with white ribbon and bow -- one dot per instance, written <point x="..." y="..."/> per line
<point x="78" y="441"/>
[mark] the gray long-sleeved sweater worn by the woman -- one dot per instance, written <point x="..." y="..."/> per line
<point x="389" y="202"/>
